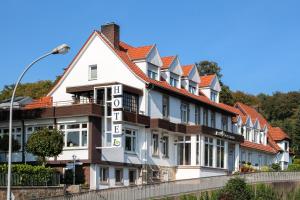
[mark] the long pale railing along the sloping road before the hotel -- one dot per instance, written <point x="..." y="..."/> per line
<point x="173" y="188"/>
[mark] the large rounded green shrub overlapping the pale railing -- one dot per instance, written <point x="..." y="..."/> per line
<point x="236" y="189"/>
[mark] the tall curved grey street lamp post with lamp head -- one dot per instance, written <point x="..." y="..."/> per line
<point x="62" y="49"/>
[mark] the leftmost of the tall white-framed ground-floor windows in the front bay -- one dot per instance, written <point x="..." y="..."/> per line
<point x="184" y="150"/>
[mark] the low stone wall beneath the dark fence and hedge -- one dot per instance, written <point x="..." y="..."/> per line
<point x="29" y="193"/>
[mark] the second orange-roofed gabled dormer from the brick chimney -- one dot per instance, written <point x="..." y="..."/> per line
<point x="171" y="71"/>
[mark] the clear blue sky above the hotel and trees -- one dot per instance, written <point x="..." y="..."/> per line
<point x="256" y="42"/>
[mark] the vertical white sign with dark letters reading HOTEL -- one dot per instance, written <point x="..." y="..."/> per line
<point x="117" y="105"/>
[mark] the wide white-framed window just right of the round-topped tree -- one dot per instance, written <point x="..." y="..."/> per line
<point x="75" y="135"/>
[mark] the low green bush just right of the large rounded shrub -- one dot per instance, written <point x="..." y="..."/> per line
<point x="265" y="192"/>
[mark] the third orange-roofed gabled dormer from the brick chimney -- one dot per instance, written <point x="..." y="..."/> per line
<point x="190" y="79"/>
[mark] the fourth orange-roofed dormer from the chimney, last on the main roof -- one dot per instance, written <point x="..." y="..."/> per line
<point x="210" y="86"/>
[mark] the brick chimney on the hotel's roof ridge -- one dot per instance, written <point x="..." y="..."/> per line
<point x="112" y="33"/>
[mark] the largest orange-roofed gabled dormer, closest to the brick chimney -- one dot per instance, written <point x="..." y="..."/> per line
<point x="148" y="59"/>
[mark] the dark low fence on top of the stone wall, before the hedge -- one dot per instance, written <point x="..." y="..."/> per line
<point x="31" y="179"/>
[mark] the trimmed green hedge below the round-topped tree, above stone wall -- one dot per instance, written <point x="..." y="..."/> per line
<point x="24" y="174"/>
